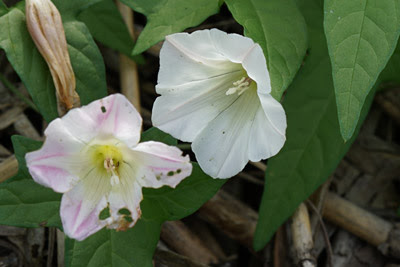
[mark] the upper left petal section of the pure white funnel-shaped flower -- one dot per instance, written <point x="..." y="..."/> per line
<point x="186" y="58"/>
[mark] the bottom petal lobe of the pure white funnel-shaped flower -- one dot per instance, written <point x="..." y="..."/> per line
<point x="222" y="147"/>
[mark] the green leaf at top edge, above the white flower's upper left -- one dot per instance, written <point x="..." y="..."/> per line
<point x="165" y="17"/>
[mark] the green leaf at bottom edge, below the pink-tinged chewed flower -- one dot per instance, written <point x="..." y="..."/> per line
<point x="134" y="247"/>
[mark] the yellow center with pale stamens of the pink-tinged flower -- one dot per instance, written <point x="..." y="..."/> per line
<point x="108" y="158"/>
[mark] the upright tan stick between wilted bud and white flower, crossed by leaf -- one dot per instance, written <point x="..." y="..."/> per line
<point x="129" y="77"/>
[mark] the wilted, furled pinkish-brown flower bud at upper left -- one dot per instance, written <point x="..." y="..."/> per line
<point x="47" y="31"/>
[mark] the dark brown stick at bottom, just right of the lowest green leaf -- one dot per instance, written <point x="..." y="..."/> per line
<point x="179" y="237"/>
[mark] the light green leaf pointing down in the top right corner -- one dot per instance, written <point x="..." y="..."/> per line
<point x="361" y="37"/>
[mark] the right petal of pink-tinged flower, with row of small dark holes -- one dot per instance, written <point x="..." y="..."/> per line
<point x="161" y="165"/>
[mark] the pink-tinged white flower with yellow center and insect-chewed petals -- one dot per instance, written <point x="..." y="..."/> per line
<point x="92" y="155"/>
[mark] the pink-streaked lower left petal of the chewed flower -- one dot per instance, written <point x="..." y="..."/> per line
<point x="81" y="207"/>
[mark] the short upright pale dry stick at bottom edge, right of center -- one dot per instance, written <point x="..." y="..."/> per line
<point x="302" y="237"/>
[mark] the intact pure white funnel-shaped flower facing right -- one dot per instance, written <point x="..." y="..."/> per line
<point x="215" y="92"/>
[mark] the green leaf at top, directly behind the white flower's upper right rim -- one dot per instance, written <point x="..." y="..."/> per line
<point x="280" y="29"/>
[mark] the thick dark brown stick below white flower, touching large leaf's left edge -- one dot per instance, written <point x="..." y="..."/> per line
<point x="231" y="216"/>
